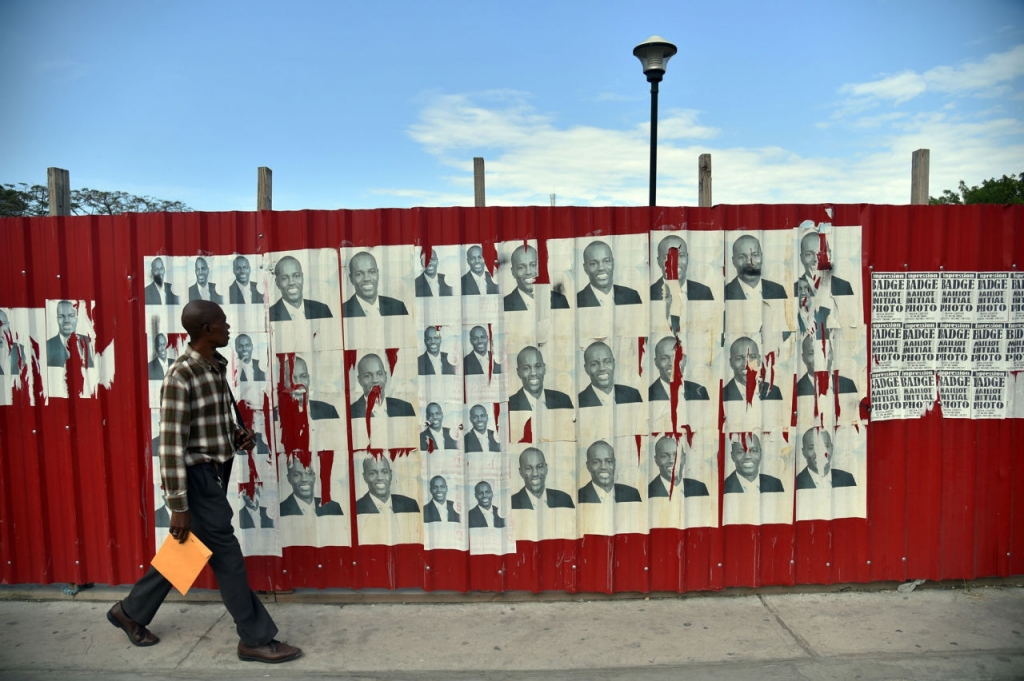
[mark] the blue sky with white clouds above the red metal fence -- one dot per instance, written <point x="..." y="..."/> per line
<point x="360" y="105"/>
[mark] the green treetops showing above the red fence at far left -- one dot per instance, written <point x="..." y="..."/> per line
<point x="24" y="201"/>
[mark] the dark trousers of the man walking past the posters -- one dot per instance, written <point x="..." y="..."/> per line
<point x="211" y="523"/>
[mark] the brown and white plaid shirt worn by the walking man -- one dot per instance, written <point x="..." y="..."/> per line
<point x="197" y="421"/>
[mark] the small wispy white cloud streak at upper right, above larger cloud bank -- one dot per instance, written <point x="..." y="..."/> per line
<point x="986" y="78"/>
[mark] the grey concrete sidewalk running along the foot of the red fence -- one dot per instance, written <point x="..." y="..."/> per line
<point x="976" y="633"/>
